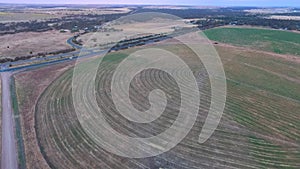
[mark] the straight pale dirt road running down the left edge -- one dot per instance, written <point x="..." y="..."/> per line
<point x="9" y="153"/>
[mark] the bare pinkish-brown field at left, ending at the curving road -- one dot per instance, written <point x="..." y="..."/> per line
<point x="30" y="43"/>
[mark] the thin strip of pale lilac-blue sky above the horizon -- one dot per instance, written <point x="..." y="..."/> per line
<point x="291" y="3"/>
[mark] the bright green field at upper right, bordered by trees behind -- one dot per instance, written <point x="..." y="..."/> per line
<point x="277" y="41"/>
